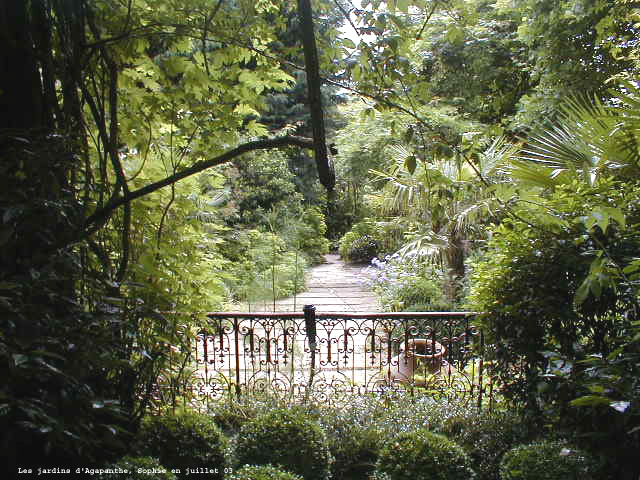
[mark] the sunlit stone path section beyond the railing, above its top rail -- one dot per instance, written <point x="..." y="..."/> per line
<point x="333" y="286"/>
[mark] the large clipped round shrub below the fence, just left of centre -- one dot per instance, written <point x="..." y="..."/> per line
<point x="288" y="439"/>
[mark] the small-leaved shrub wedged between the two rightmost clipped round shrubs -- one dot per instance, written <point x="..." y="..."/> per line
<point x="486" y="437"/>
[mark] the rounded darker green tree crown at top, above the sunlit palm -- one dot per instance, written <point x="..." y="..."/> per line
<point x="476" y="64"/>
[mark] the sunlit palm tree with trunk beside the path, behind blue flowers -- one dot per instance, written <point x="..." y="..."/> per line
<point x="448" y="198"/>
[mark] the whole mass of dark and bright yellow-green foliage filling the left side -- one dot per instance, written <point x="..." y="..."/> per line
<point x="85" y="272"/>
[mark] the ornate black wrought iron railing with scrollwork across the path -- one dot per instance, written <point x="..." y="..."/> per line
<point x="324" y="356"/>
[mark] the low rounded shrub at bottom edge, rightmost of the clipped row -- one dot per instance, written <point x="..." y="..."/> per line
<point x="546" y="461"/>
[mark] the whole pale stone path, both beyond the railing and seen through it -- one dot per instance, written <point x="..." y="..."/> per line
<point x="333" y="287"/>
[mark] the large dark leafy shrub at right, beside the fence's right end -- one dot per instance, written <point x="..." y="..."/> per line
<point x="560" y="300"/>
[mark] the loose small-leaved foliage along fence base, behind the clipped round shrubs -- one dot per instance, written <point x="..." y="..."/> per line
<point x="355" y="430"/>
